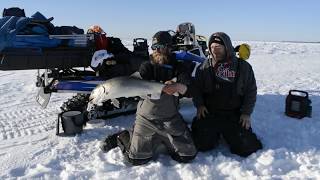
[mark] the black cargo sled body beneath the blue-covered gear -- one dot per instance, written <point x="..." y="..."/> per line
<point x="61" y="57"/>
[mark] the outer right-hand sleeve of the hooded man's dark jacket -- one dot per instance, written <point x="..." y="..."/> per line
<point x="250" y="93"/>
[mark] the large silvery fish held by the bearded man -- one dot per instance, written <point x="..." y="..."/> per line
<point x="125" y="86"/>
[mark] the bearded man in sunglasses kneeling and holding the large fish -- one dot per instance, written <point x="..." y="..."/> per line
<point x="158" y="121"/>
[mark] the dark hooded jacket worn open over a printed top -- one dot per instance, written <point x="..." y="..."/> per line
<point x="244" y="89"/>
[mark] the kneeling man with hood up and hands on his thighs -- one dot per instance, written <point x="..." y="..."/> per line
<point x="224" y="94"/>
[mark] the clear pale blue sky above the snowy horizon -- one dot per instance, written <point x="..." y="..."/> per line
<point x="281" y="20"/>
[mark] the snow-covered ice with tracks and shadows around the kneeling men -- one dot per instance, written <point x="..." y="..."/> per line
<point x="29" y="148"/>
